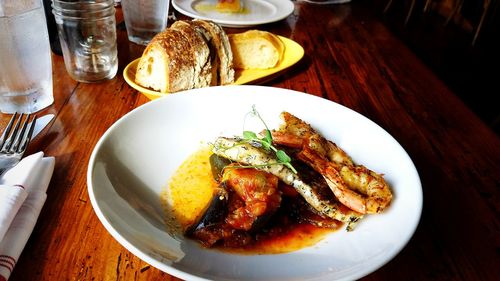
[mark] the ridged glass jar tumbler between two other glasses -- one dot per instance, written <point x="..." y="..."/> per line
<point x="87" y="32"/>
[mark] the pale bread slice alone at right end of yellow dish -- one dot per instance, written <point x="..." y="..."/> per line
<point x="255" y="49"/>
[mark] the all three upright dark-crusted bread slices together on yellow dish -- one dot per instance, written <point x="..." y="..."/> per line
<point x="189" y="54"/>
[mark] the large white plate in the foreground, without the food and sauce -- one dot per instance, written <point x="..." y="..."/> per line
<point x="134" y="159"/>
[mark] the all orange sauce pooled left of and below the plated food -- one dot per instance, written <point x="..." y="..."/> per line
<point x="190" y="190"/>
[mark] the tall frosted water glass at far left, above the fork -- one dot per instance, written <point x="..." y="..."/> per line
<point x="25" y="57"/>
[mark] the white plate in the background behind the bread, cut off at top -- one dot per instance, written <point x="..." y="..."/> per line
<point x="257" y="12"/>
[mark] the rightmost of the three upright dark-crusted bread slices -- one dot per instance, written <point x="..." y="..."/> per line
<point x="223" y="54"/>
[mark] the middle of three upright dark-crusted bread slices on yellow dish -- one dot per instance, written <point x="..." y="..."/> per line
<point x="201" y="54"/>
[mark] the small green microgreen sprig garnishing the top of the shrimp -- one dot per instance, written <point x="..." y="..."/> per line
<point x="267" y="142"/>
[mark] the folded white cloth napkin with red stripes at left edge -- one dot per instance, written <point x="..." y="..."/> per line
<point x="22" y="195"/>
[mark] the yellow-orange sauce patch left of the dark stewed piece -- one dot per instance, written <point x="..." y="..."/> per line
<point x="190" y="189"/>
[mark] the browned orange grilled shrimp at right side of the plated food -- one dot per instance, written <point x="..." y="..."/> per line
<point x="355" y="186"/>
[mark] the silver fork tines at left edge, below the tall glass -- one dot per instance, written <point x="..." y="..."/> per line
<point x="14" y="141"/>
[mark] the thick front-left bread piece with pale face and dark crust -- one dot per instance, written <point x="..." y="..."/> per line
<point x="167" y="64"/>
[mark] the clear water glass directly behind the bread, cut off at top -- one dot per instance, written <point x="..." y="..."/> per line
<point x="144" y="19"/>
